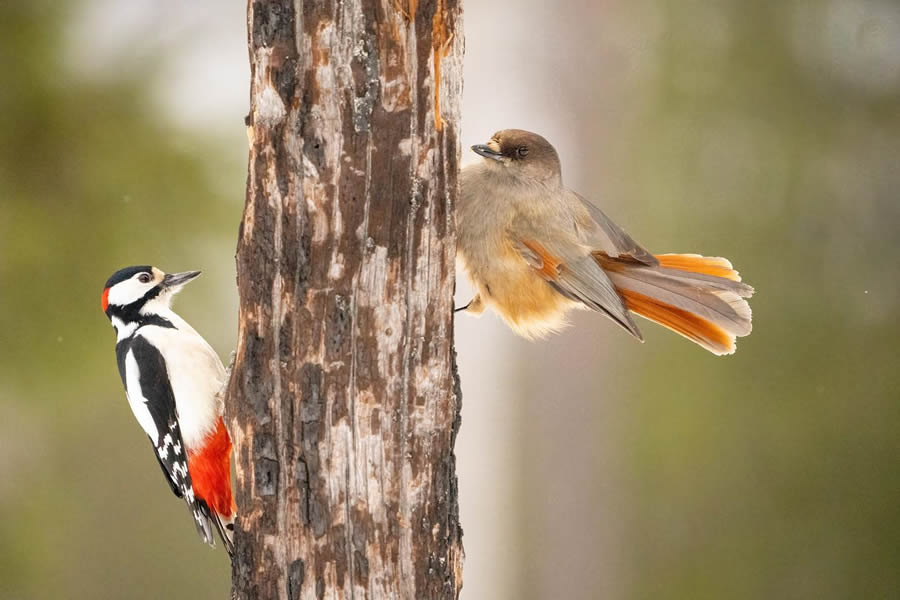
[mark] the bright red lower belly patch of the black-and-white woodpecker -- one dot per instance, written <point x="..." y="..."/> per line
<point x="210" y="469"/>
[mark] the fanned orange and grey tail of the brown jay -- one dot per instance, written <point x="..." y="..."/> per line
<point x="699" y="297"/>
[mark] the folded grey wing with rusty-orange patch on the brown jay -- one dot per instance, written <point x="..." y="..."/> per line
<point x="578" y="278"/>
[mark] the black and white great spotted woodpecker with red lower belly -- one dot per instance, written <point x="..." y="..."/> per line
<point x="172" y="380"/>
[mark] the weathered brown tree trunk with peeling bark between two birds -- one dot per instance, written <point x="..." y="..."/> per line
<point x="343" y="403"/>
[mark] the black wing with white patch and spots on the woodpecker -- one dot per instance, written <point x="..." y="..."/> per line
<point x="144" y="373"/>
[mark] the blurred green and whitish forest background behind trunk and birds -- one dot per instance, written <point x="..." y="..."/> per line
<point x="590" y="466"/>
